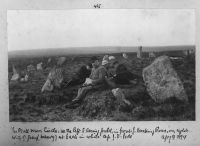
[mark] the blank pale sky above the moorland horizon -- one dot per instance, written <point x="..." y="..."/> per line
<point x="37" y="29"/>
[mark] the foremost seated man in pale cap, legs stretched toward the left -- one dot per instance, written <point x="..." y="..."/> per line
<point x="95" y="81"/>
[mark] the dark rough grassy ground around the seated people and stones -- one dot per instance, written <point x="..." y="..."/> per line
<point x="27" y="103"/>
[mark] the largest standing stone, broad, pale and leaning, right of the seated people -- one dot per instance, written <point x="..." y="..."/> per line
<point x="162" y="81"/>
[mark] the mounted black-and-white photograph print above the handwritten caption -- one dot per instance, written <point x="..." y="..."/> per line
<point x="101" y="65"/>
